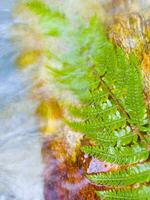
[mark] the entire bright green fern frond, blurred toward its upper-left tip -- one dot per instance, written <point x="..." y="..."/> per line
<point x="108" y="84"/>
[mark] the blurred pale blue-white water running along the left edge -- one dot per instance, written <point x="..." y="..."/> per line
<point x="20" y="143"/>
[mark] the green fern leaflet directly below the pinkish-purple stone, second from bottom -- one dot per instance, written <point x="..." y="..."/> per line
<point x="129" y="176"/>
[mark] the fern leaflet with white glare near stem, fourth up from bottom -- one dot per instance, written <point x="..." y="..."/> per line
<point x="120" y="136"/>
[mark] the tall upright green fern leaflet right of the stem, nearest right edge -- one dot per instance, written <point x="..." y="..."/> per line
<point x="134" y="104"/>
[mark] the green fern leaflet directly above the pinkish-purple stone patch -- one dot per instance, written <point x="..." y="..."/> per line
<point x="118" y="155"/>
